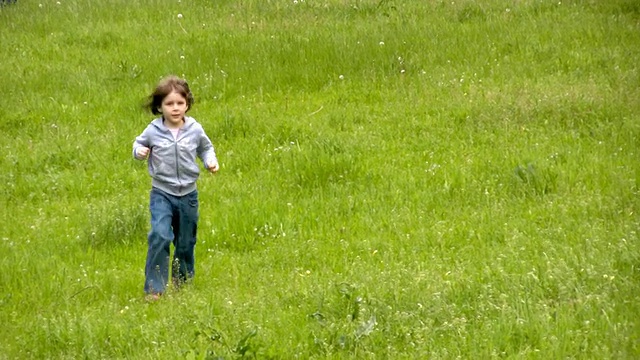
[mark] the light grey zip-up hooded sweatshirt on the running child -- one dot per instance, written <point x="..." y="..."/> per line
<point x="172" y="162"/>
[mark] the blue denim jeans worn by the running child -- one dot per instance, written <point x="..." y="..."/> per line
<point x="174" y="219"/>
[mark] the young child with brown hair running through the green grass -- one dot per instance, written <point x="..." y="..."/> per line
<point x="171" y="144"/>
